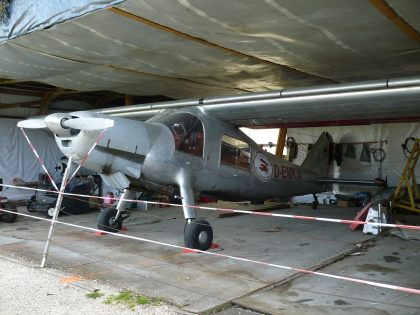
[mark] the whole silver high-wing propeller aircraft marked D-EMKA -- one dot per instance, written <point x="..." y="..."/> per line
<point x="195" y="146"/>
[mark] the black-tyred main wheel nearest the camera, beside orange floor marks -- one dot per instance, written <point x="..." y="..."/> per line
<point x="198" y="234"/>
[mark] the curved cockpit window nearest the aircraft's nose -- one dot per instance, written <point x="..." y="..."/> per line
<point x="187" y="131"/>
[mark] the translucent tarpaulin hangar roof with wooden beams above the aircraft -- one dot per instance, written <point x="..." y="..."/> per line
<point x="193" y="49"/>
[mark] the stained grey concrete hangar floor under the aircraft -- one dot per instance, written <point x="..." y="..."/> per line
<point x="199" y="282"/>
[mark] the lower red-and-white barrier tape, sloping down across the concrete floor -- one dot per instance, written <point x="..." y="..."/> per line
<point x="367" y="282"/>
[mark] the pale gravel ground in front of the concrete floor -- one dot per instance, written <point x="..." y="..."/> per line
<point x="25" y="289"/>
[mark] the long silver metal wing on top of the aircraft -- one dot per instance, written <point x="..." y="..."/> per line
<point x="368" y="102"/>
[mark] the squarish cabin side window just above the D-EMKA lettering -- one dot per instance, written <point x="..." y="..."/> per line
<point x="235" y="152"/>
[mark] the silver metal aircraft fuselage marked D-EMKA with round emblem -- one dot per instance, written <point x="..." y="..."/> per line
<point x="227" y="164"/>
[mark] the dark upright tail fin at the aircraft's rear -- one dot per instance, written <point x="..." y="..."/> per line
<point x="320" y="155"/>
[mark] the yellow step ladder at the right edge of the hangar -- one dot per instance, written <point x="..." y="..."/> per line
<point x="406" y="195"/>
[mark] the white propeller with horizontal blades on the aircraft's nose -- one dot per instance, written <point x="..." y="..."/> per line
<point x="62" y="124"/>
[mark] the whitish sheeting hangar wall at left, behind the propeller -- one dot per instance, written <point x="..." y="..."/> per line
<point x="18" y="160"/>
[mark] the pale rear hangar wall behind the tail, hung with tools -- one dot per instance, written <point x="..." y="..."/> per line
<point x="394" y="134"/>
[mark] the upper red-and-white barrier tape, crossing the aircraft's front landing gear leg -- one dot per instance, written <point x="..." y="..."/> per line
<point x="271" y="214"/>
